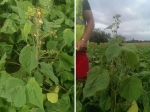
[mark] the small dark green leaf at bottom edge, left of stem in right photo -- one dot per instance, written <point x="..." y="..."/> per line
<point x="105" y="102"/>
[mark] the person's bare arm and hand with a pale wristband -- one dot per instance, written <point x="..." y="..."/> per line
<point x="89" y="28"/>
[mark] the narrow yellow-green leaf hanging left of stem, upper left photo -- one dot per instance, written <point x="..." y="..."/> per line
<point x="26" y="30"/>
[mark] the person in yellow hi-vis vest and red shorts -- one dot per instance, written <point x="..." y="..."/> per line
<point x="84" y="28"/>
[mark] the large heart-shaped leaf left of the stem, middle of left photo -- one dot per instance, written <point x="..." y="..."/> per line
<point x="28" y="58"/>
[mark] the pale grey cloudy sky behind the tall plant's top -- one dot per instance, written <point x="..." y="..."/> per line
<point x="135" y="17"/>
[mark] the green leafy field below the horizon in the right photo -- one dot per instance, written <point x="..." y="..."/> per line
<point x="118" y="80"/>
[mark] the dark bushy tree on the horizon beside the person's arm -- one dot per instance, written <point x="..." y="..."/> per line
<point x="99" y="36"/>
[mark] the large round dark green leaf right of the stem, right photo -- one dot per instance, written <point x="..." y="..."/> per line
<point x="131" y="88"/>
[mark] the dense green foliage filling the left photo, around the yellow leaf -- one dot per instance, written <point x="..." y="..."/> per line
<point x="36" y="55"/>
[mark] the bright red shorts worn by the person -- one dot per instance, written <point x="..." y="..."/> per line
<point x="82" y="64"/>
